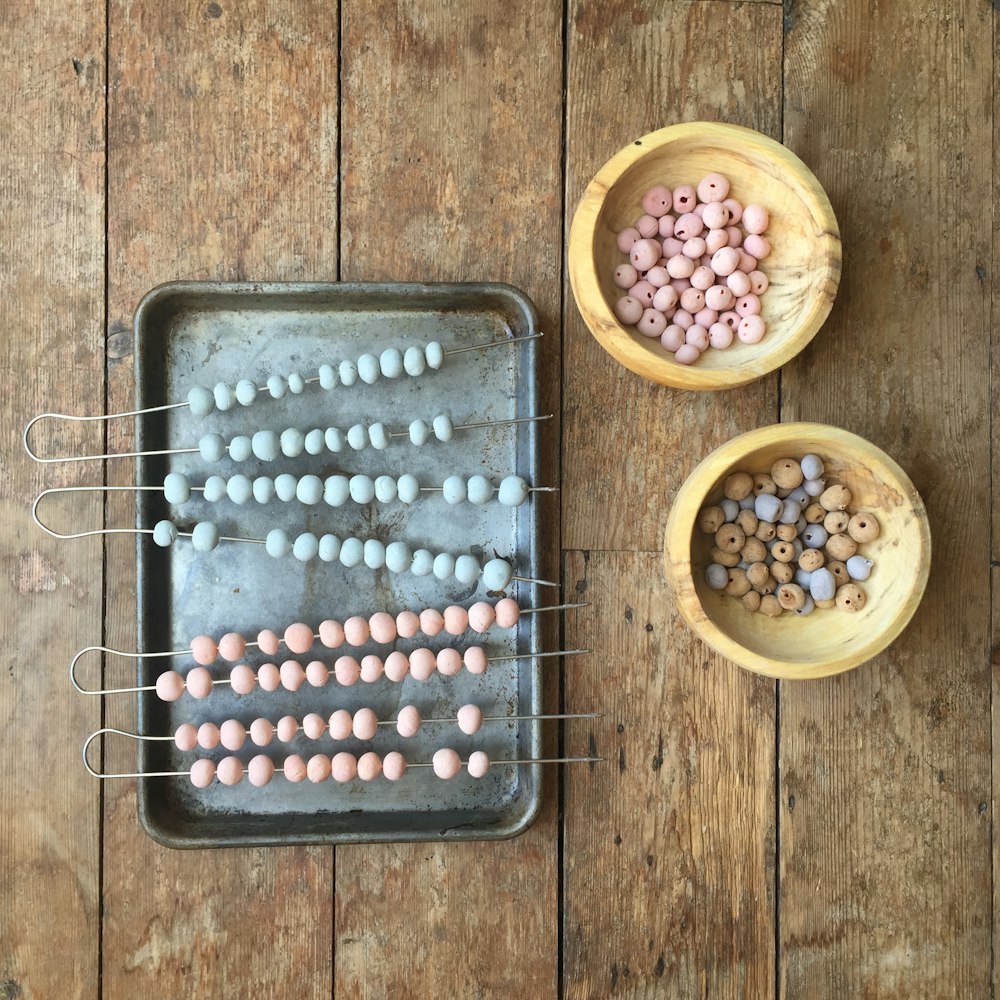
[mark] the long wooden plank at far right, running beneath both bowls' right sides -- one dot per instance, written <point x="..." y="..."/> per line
<point x="885" y="852"/>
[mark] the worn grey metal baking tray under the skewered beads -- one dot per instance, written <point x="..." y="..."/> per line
<point x="201" y="333"/>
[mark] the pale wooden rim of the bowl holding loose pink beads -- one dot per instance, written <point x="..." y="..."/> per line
<point x="619" y="342"/>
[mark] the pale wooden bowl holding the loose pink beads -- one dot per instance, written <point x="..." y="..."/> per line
<point x="803" y="267"/>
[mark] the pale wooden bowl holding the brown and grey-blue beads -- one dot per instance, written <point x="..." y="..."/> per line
<point x="829" y="640"/>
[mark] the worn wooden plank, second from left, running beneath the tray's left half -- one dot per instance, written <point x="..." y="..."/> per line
<point x="223" y="165"/>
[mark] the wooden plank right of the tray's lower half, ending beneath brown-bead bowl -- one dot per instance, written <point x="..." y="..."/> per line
<point x="669" y="844"/>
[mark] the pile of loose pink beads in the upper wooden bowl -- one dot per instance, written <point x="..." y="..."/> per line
<point x="693" y="267"/>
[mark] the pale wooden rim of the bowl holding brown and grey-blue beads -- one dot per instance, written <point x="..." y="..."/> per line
<point x="680" y="530"/>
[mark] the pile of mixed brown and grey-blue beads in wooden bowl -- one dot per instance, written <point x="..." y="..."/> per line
<point x="785" y="541"/>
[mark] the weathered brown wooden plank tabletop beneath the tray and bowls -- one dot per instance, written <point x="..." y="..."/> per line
<point x="746" y="838"/>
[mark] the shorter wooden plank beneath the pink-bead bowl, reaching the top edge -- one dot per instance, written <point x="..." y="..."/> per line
<point x="629" y="443"/>
